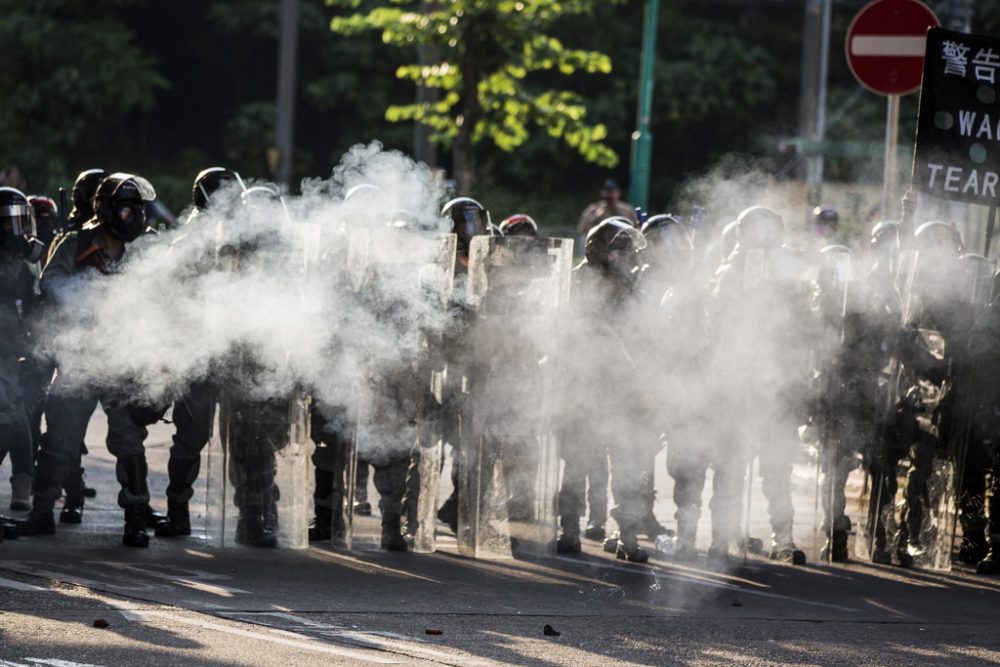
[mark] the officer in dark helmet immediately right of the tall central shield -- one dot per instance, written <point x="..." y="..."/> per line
<point x="604" y="290"/>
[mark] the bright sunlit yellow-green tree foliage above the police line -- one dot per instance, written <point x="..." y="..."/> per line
<point x="497" y="68"/>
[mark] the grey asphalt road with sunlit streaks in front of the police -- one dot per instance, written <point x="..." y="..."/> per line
<point x="182" y="603"/>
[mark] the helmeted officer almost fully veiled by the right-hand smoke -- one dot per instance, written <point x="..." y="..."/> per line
<point x="757" y="308"/>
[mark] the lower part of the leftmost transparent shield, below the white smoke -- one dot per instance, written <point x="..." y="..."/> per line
<point x="258" y="474"/>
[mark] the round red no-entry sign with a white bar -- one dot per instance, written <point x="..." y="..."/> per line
<point x="885" y="45"/>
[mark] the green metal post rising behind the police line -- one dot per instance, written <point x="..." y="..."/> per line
<point x="642" y="138"/>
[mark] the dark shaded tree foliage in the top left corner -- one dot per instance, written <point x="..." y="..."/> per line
<point x="68" y="76"/>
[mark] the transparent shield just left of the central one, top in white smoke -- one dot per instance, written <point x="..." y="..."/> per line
<point x="397" y="271"/>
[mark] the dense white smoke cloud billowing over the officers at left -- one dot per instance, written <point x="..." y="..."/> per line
<point x="260" y="297"/>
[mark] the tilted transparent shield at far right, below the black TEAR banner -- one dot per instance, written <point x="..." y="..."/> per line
<point x="911" y="500"/>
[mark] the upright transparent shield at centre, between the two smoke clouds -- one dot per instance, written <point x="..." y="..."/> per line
<point x="508" y="455"/>
